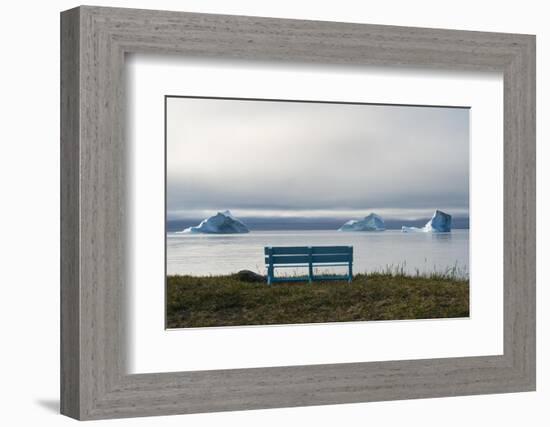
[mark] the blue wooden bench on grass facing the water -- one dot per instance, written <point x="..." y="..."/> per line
<point x="308" y="256"/>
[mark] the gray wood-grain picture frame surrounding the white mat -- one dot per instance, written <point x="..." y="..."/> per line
<point x="94" y="382"/>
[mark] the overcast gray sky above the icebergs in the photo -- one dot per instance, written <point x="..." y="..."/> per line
<point x="264" y="158"/>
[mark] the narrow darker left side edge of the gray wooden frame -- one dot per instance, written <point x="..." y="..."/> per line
<point x="70" y="291"/>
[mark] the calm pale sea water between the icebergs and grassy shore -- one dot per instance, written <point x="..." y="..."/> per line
<point x="207" y="254"/>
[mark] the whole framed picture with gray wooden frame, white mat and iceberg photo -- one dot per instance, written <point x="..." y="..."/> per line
<point x="262" y="213"/>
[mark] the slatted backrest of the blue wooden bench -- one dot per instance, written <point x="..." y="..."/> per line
<point x="306" y="254"/>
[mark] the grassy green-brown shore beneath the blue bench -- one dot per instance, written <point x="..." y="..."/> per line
<point x="229" y="301"/>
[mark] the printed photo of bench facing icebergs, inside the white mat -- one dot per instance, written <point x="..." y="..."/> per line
<point x="283" y="212"/>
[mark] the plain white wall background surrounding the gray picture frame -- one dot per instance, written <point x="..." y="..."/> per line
<point x="29" y="213"/>
